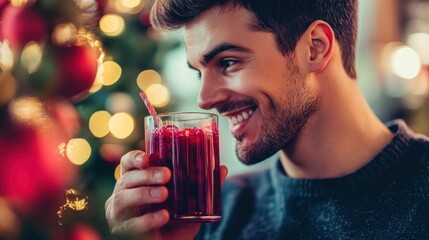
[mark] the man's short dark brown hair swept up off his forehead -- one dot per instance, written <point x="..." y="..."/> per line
<point x="286" y="19"/>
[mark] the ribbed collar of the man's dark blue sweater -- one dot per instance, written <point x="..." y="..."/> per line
<point x="387" y="159"/>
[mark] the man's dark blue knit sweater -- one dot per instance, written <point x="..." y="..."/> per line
<point x="386" y="199"/>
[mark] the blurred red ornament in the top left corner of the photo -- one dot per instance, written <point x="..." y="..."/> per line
<point x="21" y="25"/>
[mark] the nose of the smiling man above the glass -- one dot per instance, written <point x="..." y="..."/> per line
<point x="213" y="91"/>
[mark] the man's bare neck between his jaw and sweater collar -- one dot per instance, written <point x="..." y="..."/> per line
<point x="340" y="138"/>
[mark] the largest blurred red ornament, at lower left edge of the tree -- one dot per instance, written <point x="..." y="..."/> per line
<point x="34" y="172"/>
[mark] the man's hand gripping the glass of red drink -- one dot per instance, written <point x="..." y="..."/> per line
<point x="141" y="185"/>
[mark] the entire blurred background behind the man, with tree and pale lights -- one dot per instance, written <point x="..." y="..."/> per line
<point x="70" y="76"/>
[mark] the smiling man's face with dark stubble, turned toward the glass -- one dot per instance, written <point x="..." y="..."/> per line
<point x="262" y="92"/>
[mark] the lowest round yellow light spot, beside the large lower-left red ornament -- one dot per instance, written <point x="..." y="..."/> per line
<point x="78" y="151"/>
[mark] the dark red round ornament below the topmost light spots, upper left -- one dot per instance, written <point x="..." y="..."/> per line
<point x="77" y="69"/>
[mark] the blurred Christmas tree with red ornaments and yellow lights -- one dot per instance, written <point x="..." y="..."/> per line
<point x="70" y="76"/>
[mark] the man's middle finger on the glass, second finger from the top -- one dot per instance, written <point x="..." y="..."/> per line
<point x="145" y="177"/>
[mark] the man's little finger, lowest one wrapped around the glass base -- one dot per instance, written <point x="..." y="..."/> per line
<point x="144" y="225"/>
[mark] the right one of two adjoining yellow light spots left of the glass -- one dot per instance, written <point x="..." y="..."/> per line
<point x="121" y="125"/>
